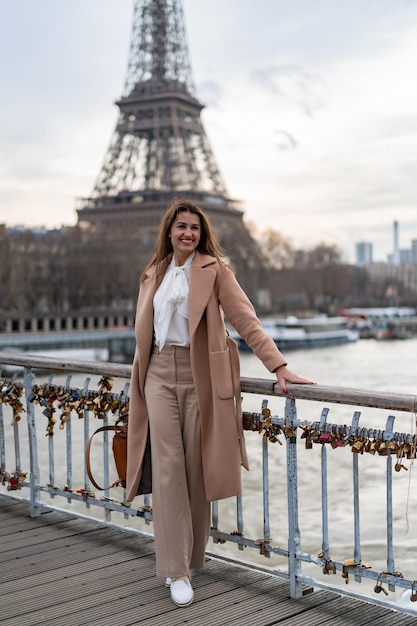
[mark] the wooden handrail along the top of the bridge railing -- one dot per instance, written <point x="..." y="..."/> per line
<point x="320" y="393"/>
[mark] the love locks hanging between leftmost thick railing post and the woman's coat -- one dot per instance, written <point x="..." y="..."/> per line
<point x="65" y="400"/>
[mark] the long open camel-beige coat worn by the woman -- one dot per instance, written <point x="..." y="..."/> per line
<point x="212" y="288"/>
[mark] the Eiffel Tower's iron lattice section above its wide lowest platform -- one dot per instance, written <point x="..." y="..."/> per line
<point x="159" y="142"/>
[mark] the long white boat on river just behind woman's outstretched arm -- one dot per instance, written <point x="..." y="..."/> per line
<point x="293" y="332"/>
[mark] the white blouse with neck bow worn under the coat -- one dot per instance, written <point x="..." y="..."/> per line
<point x="170" y="305"/>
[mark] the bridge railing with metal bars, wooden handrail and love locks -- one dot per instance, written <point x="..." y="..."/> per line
<point x="323" y="475"/>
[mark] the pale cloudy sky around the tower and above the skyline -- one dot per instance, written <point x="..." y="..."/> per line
<point x="311" y="110"/>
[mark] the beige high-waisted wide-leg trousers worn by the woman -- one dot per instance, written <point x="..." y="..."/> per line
<point x="181" y="513"/>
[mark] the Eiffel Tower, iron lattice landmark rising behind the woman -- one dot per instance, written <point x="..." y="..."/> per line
<point x="159" y="149"/>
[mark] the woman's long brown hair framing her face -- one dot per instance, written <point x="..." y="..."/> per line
<point x="208" y="243"/>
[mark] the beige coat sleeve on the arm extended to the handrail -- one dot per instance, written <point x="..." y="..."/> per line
<point x="242" y="316"/>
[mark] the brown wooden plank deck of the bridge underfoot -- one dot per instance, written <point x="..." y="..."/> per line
<point x="61" y="570"/>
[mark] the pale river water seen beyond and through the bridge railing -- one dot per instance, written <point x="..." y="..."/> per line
<point x="366" y="364"/>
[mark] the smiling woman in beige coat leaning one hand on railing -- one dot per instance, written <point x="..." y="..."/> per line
<point x="185" y="389"/>
